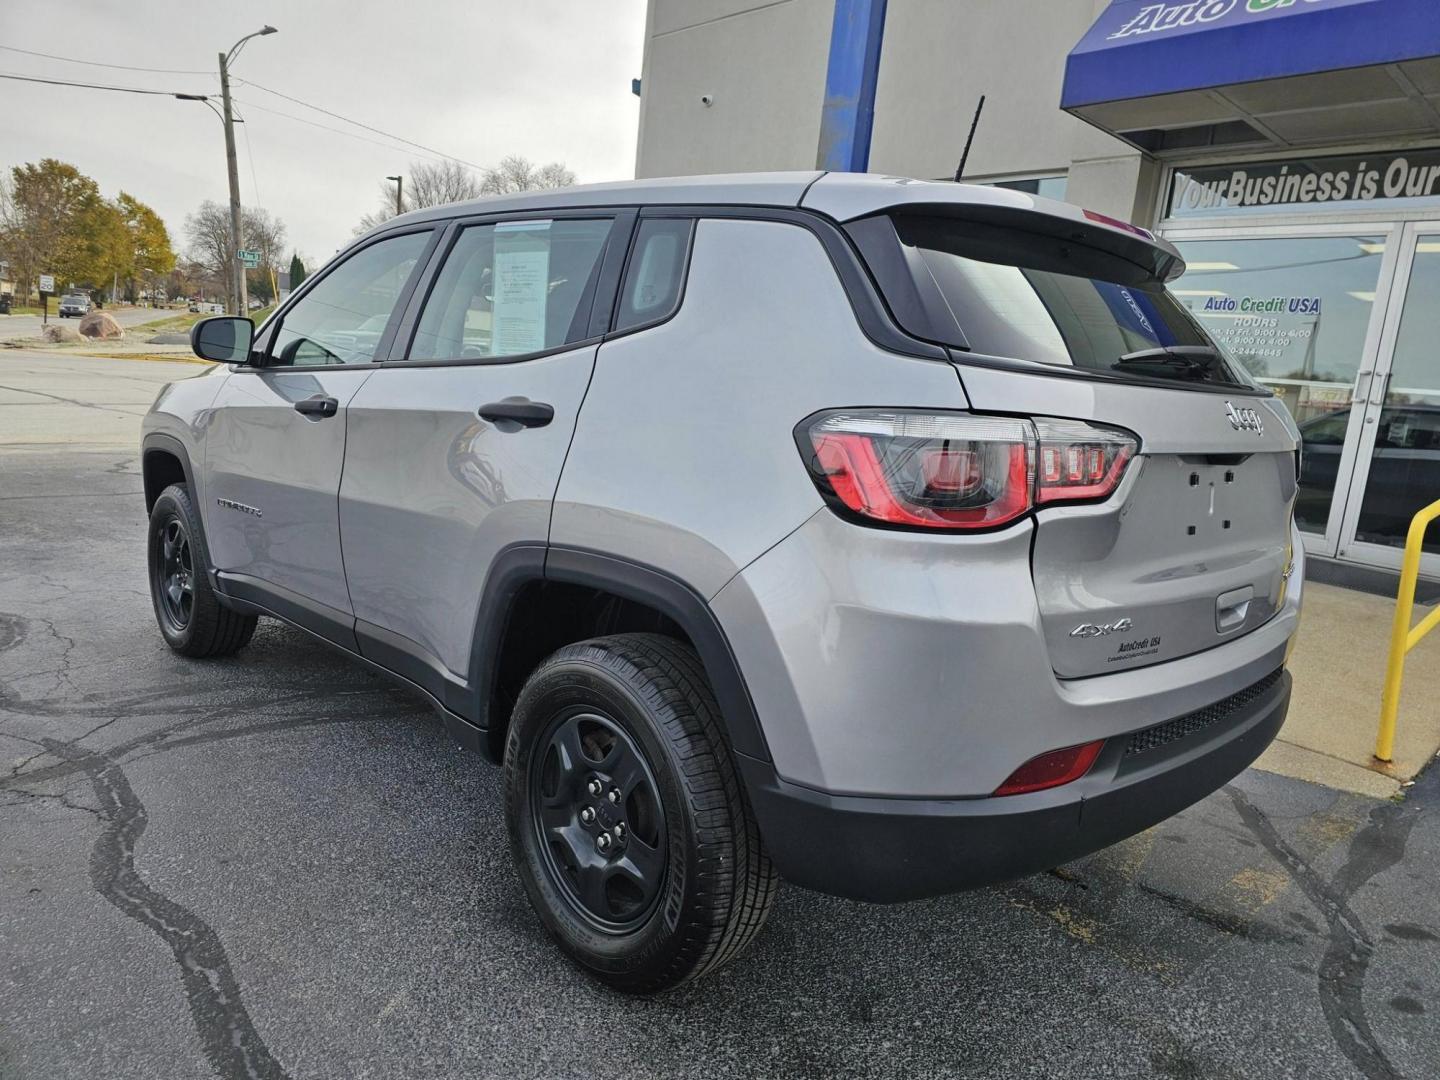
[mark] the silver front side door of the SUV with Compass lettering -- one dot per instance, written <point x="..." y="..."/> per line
<point x="277" y="434"/>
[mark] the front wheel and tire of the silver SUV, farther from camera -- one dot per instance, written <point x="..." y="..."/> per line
<point x="189" y="614"/>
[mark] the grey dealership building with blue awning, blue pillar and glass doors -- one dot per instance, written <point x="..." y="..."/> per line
<point x="1291" y="149"/>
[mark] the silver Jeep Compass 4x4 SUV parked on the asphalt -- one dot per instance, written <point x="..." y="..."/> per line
<point x="891" y="538"/>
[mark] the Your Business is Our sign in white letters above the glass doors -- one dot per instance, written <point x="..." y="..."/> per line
<point x="1310" y="184"/>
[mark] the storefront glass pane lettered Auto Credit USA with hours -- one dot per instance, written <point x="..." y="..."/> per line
<point x="1295" y="313"/>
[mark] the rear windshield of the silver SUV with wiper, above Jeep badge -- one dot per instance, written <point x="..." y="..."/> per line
<point x="1003" y="292"/>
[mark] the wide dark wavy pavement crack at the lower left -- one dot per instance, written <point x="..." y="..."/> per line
<point x="231" y="1043"/>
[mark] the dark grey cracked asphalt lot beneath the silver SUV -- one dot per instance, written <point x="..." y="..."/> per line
<point x="280" y="866"/>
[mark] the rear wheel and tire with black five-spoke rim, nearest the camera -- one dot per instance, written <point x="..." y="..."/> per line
<point x="688" y="883"/>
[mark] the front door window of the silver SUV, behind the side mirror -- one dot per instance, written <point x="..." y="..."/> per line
<point x="343" y="319"/>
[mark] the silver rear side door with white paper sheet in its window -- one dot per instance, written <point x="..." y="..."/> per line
<point x="456" y="447"/>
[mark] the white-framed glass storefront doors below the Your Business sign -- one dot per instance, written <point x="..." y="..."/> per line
<point x="1344" y="325"/>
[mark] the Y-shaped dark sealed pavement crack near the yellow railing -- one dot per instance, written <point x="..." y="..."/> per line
<point x="1343" y="970"/>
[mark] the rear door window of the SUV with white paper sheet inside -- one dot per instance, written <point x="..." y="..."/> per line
<point x="513" y="289"/>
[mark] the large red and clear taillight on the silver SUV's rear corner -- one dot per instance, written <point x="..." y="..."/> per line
<point x="928" y="470"/>
